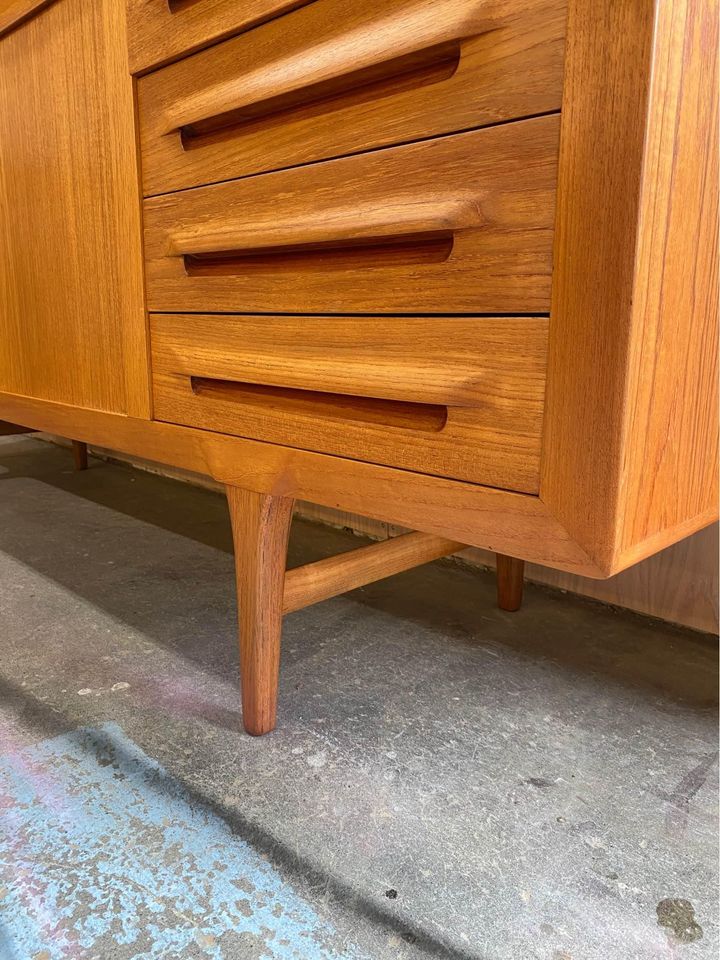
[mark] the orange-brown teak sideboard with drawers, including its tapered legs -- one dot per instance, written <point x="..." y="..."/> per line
<point x="446" y="263"/>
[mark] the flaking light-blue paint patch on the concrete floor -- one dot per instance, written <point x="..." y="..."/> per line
<point x="103" y="854"/>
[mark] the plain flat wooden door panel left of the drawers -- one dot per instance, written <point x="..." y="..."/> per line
<point x="72" y="321"/>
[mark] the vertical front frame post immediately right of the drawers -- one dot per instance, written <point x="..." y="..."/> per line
<point x="605" y="98"/>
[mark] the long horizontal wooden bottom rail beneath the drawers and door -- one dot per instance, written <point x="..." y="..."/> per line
<point x="510" y="523"/>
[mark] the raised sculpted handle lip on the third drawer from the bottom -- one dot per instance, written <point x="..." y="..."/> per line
<point x="377" y="36"/>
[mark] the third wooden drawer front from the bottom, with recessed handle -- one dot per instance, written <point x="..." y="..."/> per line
<point x="333" y="78"/>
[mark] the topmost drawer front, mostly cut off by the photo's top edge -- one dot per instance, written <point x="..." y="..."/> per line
<point x="162" y="30"/>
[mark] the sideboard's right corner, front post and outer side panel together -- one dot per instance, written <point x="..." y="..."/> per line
<point x="629" y="448"/>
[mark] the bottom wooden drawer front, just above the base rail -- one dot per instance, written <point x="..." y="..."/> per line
<point x="459" y="397"/>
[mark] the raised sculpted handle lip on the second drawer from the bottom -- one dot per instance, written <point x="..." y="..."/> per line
<point x="363" y="222"/>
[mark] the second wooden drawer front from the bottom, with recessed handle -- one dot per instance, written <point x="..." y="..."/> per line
<point x="460" y="224"/>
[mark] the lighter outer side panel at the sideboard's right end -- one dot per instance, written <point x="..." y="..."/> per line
<point x="671" y="451"/>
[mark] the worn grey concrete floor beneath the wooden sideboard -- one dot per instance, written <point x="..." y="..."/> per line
<point x="447" y="780"/>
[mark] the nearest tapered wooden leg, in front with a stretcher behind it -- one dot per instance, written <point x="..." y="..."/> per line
<point x="261" y="527"/>
